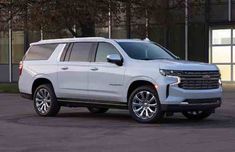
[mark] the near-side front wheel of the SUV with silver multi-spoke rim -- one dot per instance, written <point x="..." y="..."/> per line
<point x="144" y="105"/>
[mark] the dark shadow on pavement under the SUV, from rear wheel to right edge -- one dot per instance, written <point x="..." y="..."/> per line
<point x="124" y="119"/>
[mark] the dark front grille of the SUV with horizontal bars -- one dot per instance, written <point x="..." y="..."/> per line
<point x="194" y="80"/>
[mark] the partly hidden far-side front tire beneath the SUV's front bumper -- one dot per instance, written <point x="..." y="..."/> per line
<point x="197" y="115"/>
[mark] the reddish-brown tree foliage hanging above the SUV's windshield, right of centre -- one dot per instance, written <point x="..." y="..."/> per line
<point x="145" y="13"/>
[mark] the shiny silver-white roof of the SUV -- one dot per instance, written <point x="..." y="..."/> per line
<point x="69" y="40"/>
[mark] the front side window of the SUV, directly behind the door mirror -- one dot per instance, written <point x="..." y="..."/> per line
<point x="105" y="49"/>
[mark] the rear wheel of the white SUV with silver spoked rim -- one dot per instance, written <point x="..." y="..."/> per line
<point x="45" y="101"/>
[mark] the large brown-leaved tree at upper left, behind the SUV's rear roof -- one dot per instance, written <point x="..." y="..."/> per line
<point x="76" y="16"/>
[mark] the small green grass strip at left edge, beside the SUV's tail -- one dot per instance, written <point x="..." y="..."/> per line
<point x="9" y="88"/>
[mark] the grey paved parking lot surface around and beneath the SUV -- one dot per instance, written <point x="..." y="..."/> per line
<point x="77" y="130"/>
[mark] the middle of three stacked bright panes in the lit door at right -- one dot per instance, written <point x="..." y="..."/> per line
<point x="221" y="54"/>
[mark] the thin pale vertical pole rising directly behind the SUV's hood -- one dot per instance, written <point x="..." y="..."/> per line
<point x="186" y="29"/>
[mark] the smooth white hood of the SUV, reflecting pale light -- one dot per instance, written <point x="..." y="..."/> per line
<point x="185" y="65"/>
